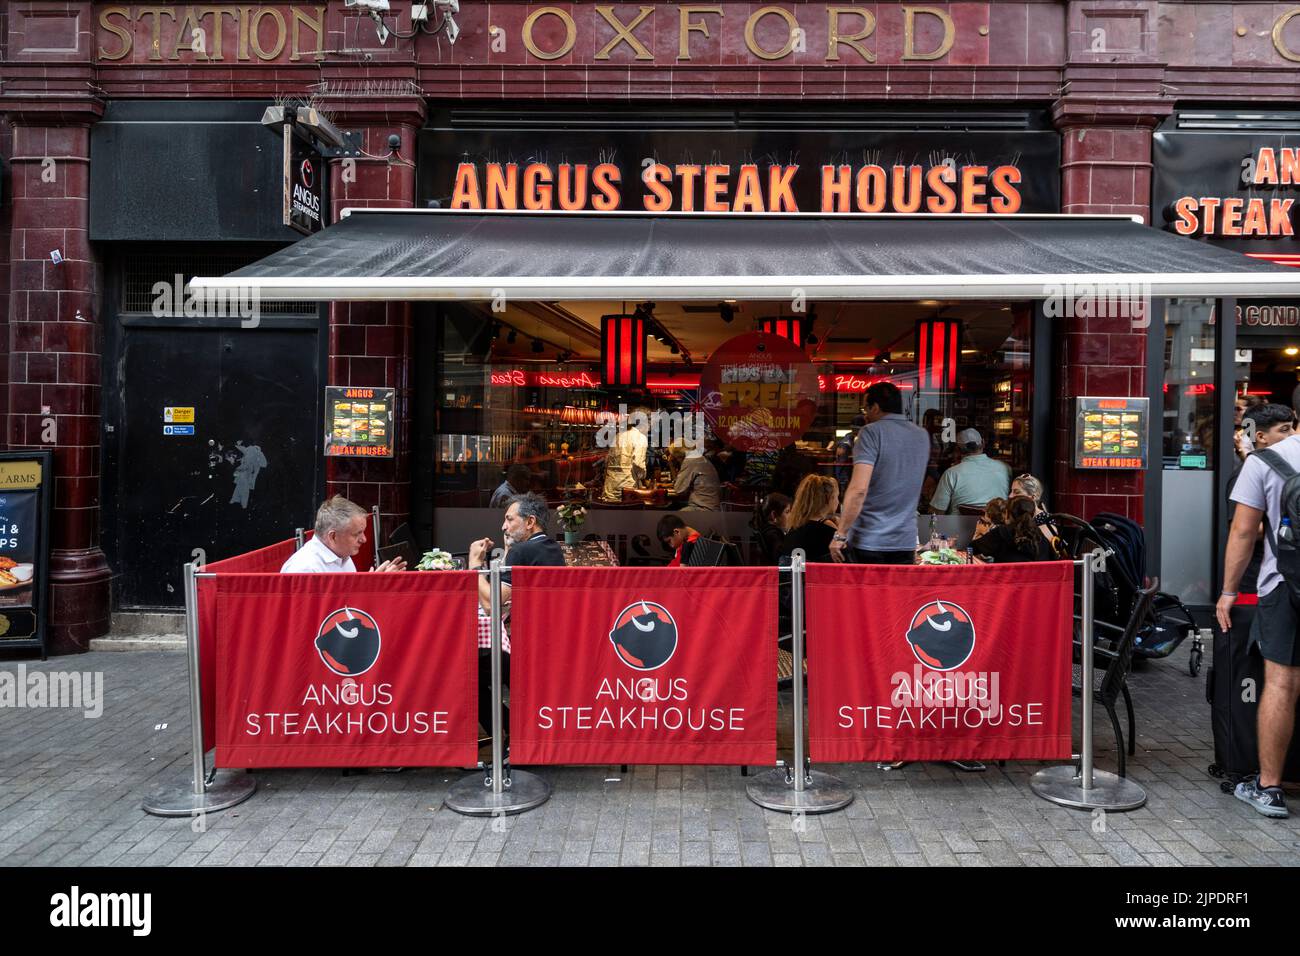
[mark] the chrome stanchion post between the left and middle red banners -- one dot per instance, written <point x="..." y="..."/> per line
<point x="505" y="791"/>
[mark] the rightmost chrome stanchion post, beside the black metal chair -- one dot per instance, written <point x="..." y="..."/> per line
<point x="1089" y="789"/>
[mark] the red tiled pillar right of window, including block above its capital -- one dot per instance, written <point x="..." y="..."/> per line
<point x="1107" y="120"/>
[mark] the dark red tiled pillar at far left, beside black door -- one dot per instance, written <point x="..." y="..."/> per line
<point x="55" y="347"/>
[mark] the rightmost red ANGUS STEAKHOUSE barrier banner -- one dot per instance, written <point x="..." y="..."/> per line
<point x="963" y="663"/>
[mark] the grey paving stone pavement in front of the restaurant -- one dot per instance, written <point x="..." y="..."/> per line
<point x="71" y="793"/>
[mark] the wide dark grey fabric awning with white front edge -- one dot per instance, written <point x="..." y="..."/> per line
<point x="435" y="254"/>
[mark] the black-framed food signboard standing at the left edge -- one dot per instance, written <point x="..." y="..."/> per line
<point x="27" y="492"/>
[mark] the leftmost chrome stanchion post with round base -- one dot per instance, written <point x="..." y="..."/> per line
<point x="227" y="789"/>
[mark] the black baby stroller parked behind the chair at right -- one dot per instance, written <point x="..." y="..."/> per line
<point x="1120" y="585"/>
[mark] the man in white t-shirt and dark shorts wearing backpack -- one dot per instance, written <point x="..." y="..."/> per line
<point x="1268" y="490"/>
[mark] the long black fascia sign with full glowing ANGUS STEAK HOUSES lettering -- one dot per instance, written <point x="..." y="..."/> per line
<point x="742" y="171"/>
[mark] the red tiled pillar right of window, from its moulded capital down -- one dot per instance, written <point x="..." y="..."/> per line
<point x="1106" y="168"/>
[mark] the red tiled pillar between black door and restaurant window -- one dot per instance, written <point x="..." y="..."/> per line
<point x="370" y="344"/>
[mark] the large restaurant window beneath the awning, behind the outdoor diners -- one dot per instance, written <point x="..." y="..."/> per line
<point x="523" y="403"/>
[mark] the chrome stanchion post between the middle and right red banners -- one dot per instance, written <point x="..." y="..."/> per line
<point x="809" y="791"/>
